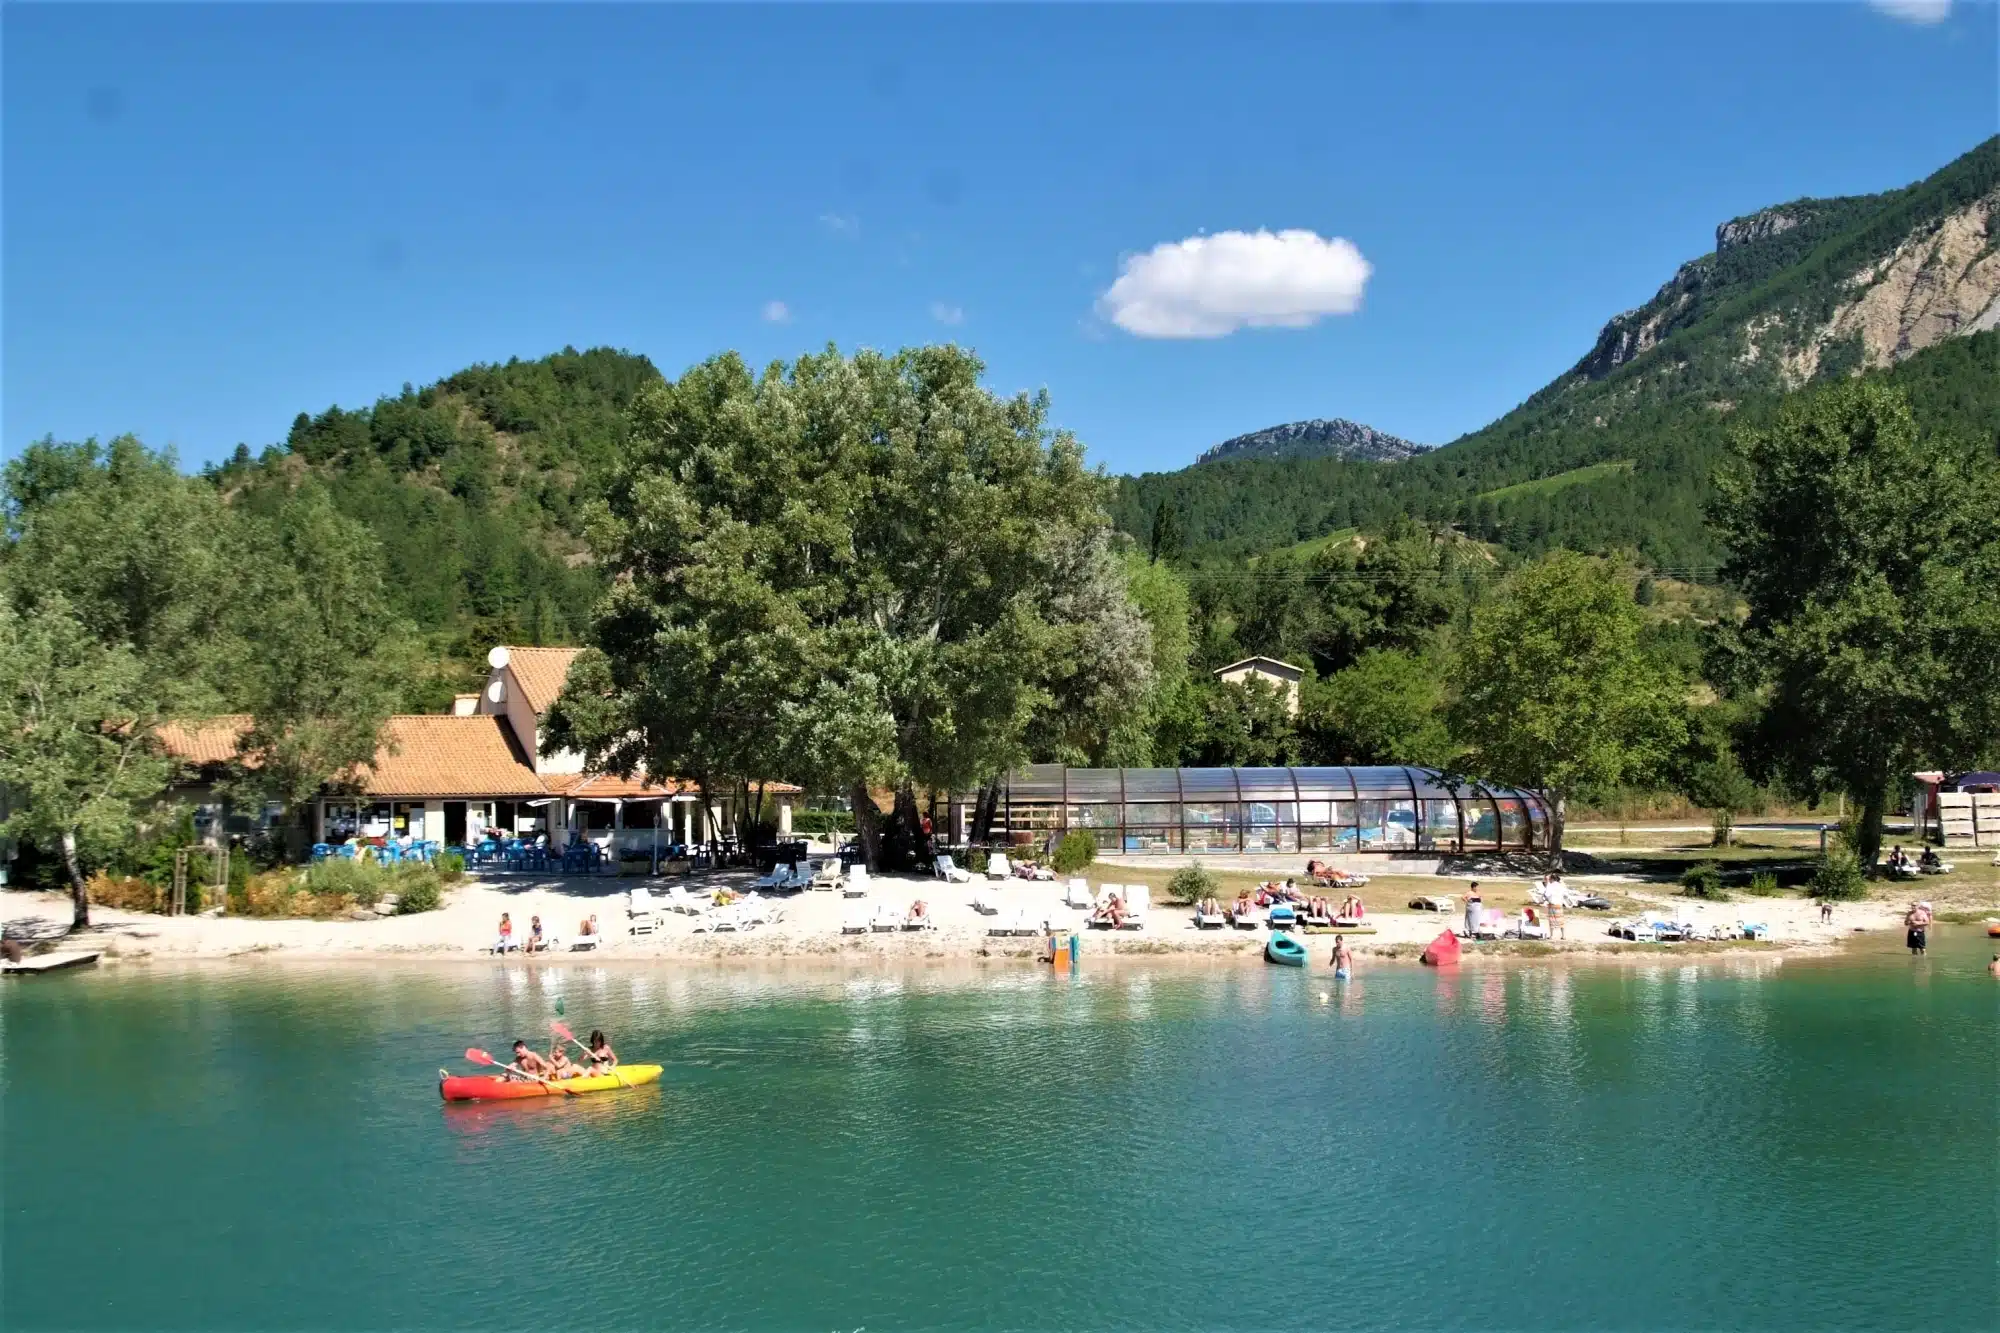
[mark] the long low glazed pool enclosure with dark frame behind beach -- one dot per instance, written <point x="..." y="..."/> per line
<point x="1337" y="812"/>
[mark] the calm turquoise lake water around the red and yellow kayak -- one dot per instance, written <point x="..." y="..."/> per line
<point x="1745" y="1144"/>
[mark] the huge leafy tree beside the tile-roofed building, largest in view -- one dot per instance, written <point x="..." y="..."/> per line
<point x="853" y="571"/>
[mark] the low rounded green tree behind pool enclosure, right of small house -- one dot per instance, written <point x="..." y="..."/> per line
<point x="1385" y="710"/>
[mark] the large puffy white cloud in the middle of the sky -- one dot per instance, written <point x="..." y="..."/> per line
<point x="1207" y="287"/>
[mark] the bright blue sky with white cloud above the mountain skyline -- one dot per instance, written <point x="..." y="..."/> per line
<point x="219" y="217"/>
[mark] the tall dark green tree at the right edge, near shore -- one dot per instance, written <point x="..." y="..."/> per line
<point x="1871" y="561"/>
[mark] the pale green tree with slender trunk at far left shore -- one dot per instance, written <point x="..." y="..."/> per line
<point x="75" y="738"/>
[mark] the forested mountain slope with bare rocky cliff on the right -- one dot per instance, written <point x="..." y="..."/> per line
<point x="1617" y="453"/>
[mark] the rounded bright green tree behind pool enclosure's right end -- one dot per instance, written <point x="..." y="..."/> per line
<point x="1553" y="690"/>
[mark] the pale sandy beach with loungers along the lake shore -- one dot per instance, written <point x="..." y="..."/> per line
<point x="811" y="926"/>
